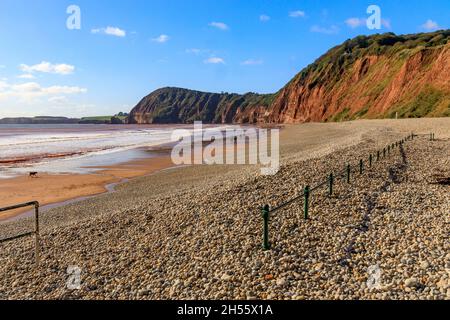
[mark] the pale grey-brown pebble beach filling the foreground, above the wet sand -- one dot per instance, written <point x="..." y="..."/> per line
<point x="195" y="232"/>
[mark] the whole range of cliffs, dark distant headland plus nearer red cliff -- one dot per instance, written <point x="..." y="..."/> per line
<point x="381" y="76"/>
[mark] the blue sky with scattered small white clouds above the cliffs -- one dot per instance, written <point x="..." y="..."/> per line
<point x="127" y="48"/>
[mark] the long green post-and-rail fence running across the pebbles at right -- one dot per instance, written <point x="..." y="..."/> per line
<point x="329" y="181"/>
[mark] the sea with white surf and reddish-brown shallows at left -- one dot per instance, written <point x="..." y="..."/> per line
<point x="76" y="148"/>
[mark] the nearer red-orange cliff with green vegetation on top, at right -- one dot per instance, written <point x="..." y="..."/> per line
<point x="378" y="77"/>
